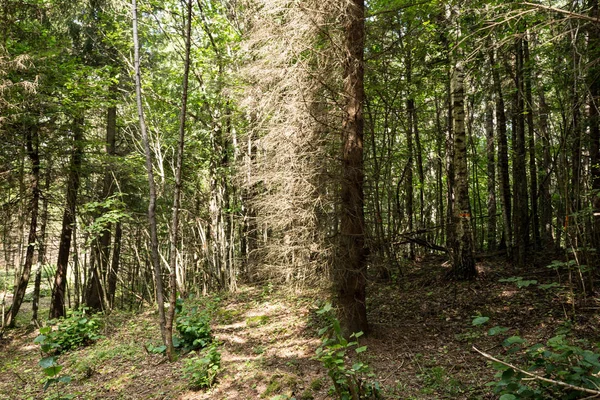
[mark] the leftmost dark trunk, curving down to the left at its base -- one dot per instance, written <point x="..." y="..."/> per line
<point x="21" y="288"/>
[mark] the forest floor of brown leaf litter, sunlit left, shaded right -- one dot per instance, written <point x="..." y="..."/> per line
<point x="420" y="346"/>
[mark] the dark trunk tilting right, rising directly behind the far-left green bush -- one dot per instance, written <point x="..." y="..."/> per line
<point x="57" y="308"/>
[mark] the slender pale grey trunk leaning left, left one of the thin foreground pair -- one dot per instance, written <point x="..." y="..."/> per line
<point x="154" y="257"/>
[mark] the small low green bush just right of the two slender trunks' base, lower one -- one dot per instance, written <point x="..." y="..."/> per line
<point x="202" y="370"/>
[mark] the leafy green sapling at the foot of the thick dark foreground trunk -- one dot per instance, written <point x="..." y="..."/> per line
<point x="349" y="382"/>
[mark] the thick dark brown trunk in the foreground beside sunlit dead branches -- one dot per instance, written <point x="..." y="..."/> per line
<point x="350" y="266"/>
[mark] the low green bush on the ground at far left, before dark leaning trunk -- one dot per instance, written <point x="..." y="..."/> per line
<point x="74" y="331"/>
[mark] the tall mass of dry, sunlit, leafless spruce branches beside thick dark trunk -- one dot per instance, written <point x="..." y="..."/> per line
<point x="294" y="103"/>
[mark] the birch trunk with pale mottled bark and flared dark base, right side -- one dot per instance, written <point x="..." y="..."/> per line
<point x="463" y="262"/>
